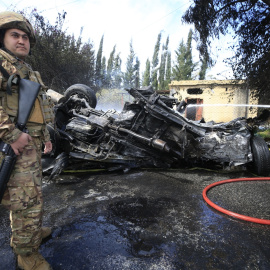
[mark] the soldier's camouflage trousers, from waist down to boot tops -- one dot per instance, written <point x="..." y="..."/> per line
<point x="23" y="197"/>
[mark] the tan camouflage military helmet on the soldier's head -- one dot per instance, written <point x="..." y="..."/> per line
<point x="9" y="20"/>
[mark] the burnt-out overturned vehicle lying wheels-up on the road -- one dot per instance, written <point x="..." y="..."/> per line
<point x="148" y="133"/>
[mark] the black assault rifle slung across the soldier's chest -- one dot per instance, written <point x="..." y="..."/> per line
<point x="28" y="92"/>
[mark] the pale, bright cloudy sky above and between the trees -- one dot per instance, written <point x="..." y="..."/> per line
<point x="121" y="21"/>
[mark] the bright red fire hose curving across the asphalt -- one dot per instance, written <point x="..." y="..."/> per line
<point x="230" y="213"/>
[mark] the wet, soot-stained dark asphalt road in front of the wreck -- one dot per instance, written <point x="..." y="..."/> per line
<point x="150" y="219"/>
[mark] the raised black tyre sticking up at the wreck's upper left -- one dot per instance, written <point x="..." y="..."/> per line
<point x="83" y="91"/>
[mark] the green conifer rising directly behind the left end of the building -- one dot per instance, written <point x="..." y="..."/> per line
<point x="184" y="63"/>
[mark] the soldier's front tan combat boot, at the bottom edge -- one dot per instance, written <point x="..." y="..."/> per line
<point x="35" y="261"/>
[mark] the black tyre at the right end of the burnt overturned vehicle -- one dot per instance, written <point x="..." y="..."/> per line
<point x="261" y="156"/>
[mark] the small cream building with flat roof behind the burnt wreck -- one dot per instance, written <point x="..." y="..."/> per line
<point x="217" y="100"/>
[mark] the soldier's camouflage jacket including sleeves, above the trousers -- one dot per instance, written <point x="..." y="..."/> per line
<point x="9" y="103"/>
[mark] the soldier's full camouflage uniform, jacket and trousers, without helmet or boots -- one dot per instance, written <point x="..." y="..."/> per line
<point x="23" y="196"/>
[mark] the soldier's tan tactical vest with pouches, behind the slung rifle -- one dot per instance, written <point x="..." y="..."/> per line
<point x="42" y="110"/>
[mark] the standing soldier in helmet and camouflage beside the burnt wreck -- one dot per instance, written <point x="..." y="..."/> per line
<point x="23" y="196"/>
